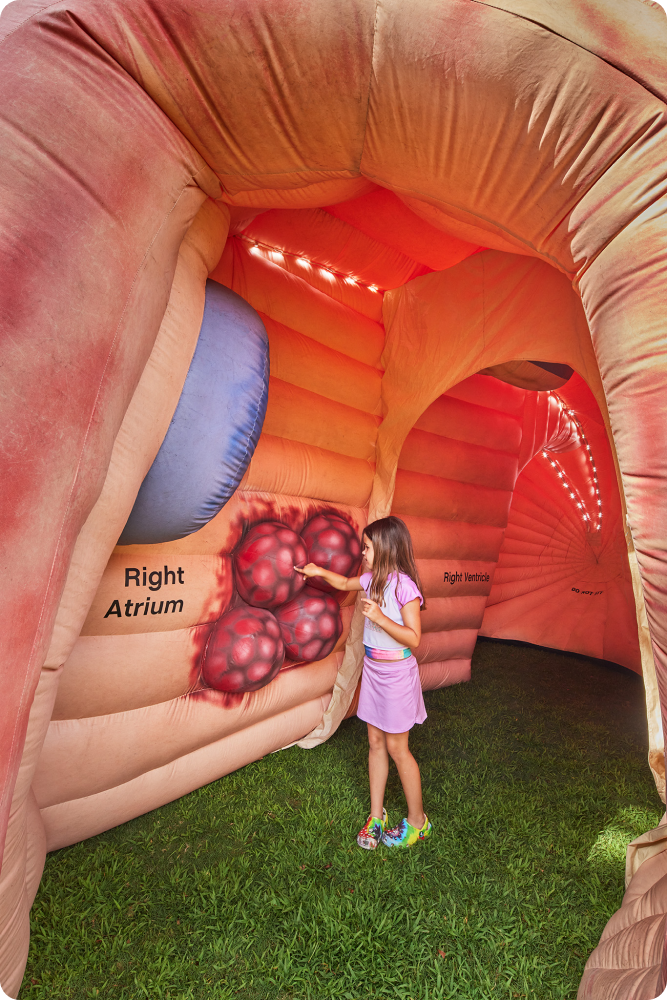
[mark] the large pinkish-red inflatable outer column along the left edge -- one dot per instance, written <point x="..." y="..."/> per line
<point x="101" y="197"/>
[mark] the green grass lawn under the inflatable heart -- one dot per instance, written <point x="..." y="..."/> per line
<point x="535" y="778"/>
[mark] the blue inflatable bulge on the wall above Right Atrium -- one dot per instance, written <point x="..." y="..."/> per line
<point x="215" y="428"/>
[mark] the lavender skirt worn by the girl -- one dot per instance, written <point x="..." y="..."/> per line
<point x="391" y="695"/>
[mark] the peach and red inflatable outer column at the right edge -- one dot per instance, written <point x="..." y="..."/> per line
<point x="626" y="309"/>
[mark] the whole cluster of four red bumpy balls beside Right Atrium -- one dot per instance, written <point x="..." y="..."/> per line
<point x="248" y="644"/>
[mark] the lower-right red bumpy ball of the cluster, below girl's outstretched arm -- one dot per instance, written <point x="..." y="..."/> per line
<point x="310" y="625"/>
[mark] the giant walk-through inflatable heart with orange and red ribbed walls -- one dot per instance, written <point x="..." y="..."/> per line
<point x="270" y="270"/>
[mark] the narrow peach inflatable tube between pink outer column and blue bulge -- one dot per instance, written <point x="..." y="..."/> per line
<point x="145" y="424"/>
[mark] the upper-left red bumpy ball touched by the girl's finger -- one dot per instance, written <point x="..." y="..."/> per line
<point x="264" y="565"/>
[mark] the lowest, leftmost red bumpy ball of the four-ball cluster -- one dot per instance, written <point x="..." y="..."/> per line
<point x="244" y="652"/>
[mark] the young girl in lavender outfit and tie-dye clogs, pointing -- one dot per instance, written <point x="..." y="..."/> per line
<point x="390" y="700"/>
